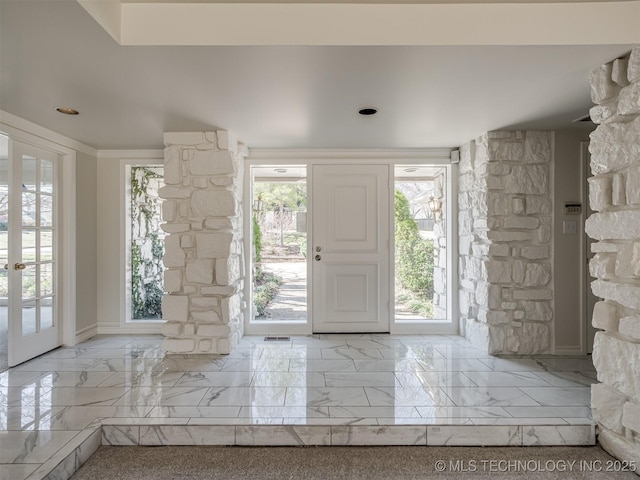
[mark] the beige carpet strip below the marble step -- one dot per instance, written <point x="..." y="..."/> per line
<point x="350" y="463"/>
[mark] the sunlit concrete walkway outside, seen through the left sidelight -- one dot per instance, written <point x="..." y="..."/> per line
<point x="291" y="301"/>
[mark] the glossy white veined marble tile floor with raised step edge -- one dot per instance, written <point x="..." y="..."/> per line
<point x="356" y="389"/>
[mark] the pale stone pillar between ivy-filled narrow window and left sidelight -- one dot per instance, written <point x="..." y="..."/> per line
<point x="204" y="276"/>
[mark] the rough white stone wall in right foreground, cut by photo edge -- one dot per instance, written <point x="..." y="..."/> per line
<point x="614" y="194"/>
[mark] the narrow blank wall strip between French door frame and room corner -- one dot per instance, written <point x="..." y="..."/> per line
<point x="86" y="244"/>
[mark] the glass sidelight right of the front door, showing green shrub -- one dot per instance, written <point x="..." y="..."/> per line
<point x="420" y="243"/>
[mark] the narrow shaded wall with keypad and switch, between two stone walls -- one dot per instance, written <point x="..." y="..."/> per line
<point x="568" y="257"/>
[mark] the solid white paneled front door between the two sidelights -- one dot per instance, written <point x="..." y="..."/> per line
<point x="351" y="248"/>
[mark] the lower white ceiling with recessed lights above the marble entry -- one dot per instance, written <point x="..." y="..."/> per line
<point x="54" y="53"/>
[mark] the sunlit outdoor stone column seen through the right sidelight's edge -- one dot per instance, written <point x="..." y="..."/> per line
<point x="440" y="248"/>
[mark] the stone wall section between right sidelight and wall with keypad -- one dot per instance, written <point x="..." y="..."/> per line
<point x="505" y="229"/>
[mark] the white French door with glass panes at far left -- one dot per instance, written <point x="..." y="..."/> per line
<point x="31" y="258"/>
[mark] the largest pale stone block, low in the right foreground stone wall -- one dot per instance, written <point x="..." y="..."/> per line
<point x="616" y="361"/>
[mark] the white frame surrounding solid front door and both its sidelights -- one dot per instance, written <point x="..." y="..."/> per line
<point x="391" y="157"/>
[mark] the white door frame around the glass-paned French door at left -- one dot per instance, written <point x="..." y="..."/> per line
<point x="19" y="130"/>
